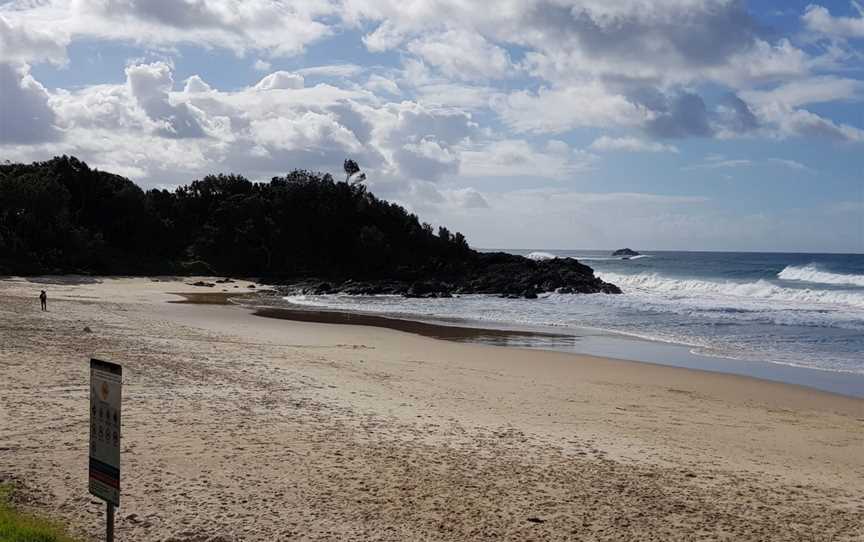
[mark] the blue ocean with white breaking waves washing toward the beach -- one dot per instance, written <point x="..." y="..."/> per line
<point x="801" y="310"/>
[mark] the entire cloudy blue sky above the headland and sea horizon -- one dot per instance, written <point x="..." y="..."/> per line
<point x="653" y="124"/>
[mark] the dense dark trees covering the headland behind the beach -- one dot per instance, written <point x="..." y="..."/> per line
<point x="61" y="216"/>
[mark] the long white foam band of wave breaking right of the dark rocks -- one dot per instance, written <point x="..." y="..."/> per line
<point x="761" y="289"/>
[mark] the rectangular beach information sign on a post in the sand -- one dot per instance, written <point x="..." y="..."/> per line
<point x="105" y="399"/>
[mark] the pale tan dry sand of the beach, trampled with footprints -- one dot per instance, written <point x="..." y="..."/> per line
<point x="238" y="427"/>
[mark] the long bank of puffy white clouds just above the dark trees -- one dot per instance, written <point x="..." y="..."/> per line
<point x="165" y="136"/>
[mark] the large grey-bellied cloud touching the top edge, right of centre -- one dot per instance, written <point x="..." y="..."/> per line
<point x="659" y="43"/>
